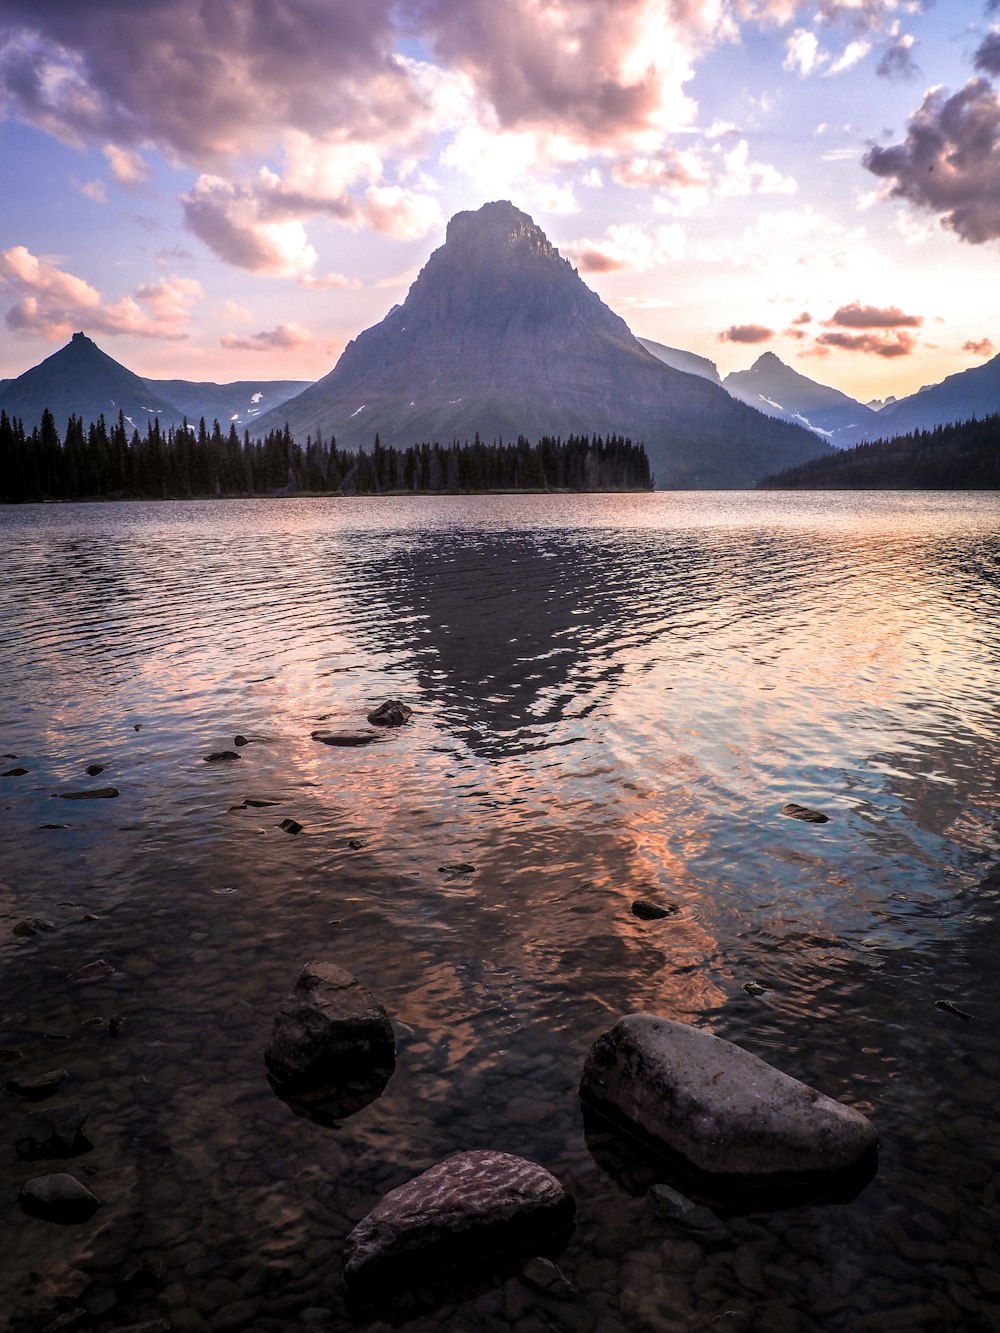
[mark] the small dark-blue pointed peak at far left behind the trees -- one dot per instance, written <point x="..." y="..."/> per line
<point x="82" y="381"/>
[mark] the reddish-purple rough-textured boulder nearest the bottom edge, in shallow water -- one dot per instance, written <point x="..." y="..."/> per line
<point x="466" y="1208"/>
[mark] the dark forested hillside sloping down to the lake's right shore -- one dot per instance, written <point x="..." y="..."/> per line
<point x="963" y="457"/>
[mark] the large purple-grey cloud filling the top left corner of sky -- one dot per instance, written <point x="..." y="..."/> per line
<point x="203" y="82"/>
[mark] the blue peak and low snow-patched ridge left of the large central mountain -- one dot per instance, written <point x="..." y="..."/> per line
<point x="81" y="381"/>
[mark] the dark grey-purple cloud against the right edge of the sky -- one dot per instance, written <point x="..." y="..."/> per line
<point x="950" y="161"/>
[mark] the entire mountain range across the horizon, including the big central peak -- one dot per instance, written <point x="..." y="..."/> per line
<point x="501" y="337"/>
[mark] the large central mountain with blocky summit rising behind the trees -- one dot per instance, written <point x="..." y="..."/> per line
<point x="499" y="335"/>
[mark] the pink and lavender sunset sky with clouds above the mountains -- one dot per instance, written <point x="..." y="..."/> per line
<point x="222" y="190"/>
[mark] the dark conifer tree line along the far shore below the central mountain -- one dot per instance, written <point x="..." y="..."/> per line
<point x="117" y="463"/>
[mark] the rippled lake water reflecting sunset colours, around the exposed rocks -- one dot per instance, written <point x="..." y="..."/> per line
<point x="613" y="696"/>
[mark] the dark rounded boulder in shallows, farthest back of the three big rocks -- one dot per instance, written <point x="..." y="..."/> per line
<point x="327" y="1027"/>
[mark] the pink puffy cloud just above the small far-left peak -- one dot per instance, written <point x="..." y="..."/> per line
<point x="51" y="303"/>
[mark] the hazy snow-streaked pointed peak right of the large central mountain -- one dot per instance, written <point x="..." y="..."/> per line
<point x="782" y="393"/>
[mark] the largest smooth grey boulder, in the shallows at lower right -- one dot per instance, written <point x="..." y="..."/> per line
<point x="719" y="1107"/>
